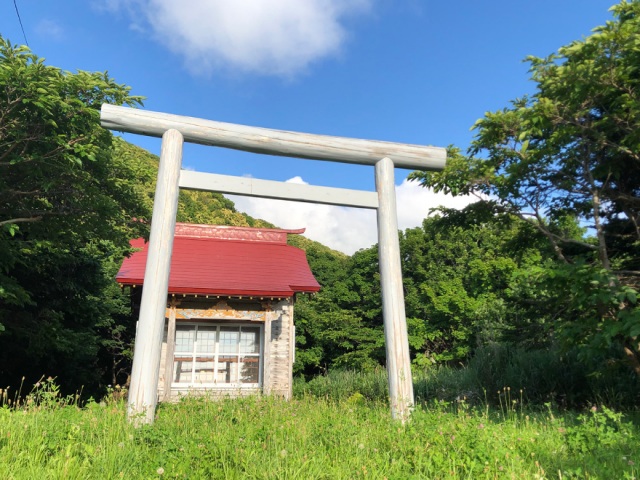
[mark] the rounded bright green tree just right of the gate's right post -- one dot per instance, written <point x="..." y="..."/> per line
<point x="459" y="270"/>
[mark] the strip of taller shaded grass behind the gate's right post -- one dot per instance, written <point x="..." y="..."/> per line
<point x="532" y="377"/>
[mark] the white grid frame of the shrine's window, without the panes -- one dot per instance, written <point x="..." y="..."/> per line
<point x="216" y="385"/>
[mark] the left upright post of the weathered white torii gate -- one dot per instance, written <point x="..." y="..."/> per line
<point x="143" y="391"/>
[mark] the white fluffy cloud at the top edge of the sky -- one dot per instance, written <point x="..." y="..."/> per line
<point x="276" y="37"/>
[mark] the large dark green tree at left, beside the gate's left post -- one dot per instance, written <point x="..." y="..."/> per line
<point x="68" y="207"/>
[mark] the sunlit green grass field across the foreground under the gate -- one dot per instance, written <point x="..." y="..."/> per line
<point x="312" y="438"/>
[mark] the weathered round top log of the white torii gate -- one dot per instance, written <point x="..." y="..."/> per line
<point x="272" y="142"/>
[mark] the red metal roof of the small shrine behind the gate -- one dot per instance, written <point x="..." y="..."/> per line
<point x="228" y="261"/>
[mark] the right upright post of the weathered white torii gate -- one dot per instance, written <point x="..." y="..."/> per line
<point x="393" y="310"/>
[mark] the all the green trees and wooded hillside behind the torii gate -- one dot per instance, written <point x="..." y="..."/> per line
<point x="548" y="265"/>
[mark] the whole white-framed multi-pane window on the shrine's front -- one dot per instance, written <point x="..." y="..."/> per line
<point x="217" y="355"/>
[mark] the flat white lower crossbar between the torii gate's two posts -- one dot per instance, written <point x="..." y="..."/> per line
<point x="252" y="187"/>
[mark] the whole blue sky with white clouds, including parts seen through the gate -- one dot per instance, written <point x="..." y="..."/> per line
<point x="414" y="71"/>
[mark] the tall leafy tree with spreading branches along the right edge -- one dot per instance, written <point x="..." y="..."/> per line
<point x="571" y="152"/>
